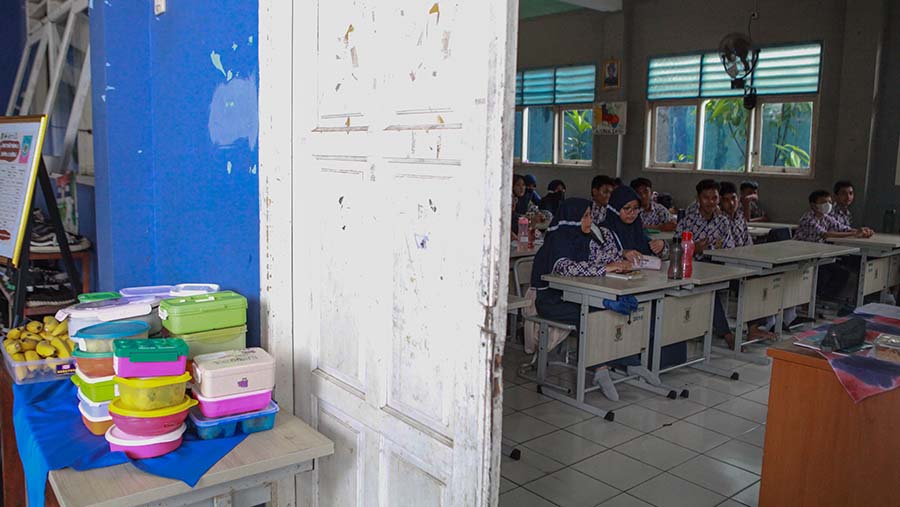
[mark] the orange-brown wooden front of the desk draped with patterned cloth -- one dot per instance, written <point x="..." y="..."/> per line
<point x="821" y="448"/>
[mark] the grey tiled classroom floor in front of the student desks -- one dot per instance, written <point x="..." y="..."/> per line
<point x="702" y="451"/>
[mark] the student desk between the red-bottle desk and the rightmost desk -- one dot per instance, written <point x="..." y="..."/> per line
<point x="787" y="273"/>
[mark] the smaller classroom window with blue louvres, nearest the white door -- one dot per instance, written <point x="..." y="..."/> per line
<point x="554" y="115"/>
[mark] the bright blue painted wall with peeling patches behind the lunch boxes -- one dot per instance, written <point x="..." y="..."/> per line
<point x="175" y="145"/>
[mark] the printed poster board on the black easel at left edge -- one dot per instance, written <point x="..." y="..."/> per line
<point x="20" y="153"/>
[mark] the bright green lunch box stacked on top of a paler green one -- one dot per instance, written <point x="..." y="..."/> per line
<point x="203" y="312"/>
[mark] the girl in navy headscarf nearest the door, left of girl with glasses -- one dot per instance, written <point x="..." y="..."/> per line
<point x="575" y="250"/>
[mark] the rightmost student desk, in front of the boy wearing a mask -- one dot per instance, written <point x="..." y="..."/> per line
<point x="879" y="263"/>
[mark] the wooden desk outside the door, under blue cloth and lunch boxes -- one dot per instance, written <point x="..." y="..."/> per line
<point x="248" y="475"/>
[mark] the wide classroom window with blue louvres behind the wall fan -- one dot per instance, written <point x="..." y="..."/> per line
<point x="697" y="122"/>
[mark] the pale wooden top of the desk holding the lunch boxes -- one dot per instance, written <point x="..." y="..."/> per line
<point x="290" y="442"/>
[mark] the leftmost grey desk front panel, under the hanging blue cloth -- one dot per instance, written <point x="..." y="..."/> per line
<point x="611" y="336"/>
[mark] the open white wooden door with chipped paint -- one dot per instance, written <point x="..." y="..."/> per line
<point x="402" y="118"/>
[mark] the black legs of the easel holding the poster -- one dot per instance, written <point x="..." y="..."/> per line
<point x="22" y="277"/>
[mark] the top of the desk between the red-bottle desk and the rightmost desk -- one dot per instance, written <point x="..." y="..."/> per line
<point x="780" y="252"/>
